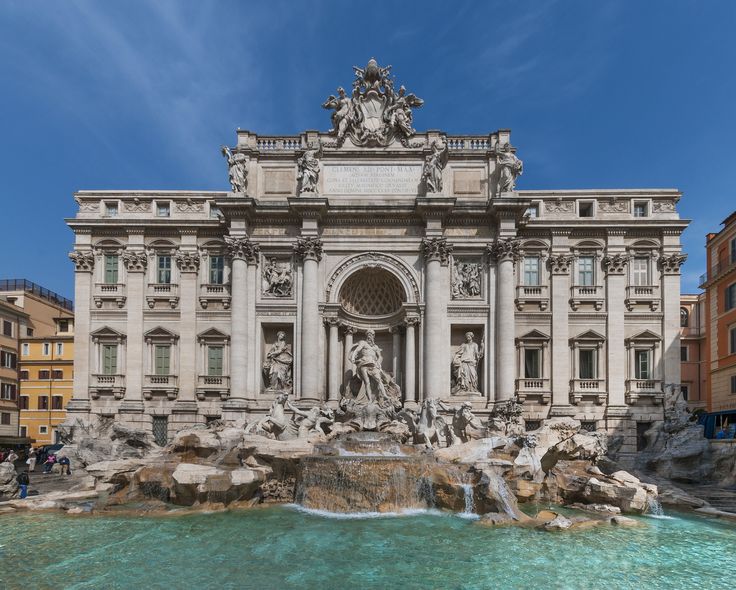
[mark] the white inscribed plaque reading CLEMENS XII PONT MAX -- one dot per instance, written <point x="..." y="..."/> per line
<point x="352" y="180"/>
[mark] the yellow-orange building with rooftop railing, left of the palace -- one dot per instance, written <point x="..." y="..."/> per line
<point x="44" y="352"/>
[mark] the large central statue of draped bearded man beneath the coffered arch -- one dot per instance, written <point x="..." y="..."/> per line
<point x="371" y="383"/>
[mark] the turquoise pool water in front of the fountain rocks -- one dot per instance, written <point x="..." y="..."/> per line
<point x="283" y="548"/>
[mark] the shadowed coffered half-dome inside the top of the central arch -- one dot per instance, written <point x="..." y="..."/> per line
<point x="372" y="293"/>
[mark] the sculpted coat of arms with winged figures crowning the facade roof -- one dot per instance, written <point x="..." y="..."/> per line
<point x="375" y="114"/>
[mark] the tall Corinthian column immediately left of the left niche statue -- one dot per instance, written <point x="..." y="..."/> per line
<point x="241" y="251"/>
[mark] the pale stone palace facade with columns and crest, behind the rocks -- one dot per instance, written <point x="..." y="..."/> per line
<point x="197" y="305"/>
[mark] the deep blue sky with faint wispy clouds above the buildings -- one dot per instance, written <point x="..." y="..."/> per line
<point x="141" y="94"/>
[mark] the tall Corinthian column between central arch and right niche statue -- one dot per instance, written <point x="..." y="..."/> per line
<point x="436" y="333"/>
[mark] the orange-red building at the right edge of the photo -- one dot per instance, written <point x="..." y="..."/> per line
<point x="719" y="284"/>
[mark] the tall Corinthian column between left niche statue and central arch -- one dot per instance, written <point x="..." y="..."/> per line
<point x="309" y="250"/>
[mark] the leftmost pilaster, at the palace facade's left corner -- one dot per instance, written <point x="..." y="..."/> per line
<point x="84" y="263"/>
